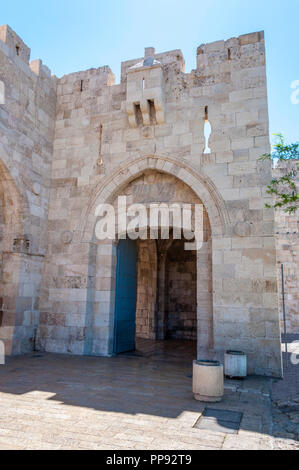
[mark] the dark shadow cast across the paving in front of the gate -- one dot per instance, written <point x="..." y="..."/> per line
<point x="157" y="385"/>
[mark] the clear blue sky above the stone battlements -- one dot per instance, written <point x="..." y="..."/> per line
<point x="73" y="35"/>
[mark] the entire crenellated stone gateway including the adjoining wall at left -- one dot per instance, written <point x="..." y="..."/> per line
<point x="159" y="136"/>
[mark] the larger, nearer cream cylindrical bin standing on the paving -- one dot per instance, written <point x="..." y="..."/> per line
<point x="208" y="381"/>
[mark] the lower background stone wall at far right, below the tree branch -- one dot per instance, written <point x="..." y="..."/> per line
<point x="287" y="242"/>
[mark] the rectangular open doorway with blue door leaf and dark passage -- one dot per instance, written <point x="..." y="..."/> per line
<point x="155" y="295"/>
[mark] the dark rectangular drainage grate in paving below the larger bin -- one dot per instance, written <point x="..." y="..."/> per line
<point x="224" y="421"/>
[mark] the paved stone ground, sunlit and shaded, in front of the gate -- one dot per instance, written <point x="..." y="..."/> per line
<point x="128" y="402"/>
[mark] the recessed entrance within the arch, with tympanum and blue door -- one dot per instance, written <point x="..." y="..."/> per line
<point x="170" y="285"/>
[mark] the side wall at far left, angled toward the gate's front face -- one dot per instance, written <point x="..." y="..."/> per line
<point x="27" y="121"/>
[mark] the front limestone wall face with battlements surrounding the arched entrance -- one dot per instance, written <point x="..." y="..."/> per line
<point x="96" y="154"/>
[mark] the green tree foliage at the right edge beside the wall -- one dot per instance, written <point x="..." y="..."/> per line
<point x="284" y="189"/>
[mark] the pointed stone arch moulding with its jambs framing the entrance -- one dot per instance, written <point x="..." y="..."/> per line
<point x="103" y="259"/>
